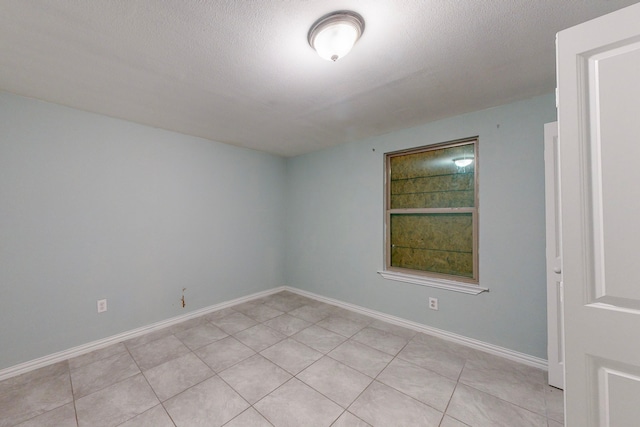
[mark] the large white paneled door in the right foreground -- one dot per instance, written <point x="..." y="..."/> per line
<point x="599" y="122"/>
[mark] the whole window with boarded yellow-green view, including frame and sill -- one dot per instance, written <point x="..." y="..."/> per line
<point x="431" y="207"/>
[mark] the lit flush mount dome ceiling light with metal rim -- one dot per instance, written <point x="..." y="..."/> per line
<point x="333" y="35"/>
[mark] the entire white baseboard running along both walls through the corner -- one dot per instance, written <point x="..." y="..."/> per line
<point x="96" y="345"/>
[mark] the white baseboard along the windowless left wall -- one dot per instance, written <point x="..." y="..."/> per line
<point x="114" y="339"/>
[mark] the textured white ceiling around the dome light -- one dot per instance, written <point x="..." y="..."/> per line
<point x="241" y="71"/>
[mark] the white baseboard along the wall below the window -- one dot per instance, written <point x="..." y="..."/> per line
<point x="516" y="356"/>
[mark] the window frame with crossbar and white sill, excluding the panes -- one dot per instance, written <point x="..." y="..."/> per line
<point x="463" y="284"/>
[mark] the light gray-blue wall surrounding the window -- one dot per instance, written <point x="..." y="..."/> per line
<point x="335" y="227"/>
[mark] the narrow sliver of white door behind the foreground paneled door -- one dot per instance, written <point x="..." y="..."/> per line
<point x="554" y="276"/>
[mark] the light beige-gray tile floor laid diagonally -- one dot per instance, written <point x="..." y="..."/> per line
<point x="282" y="360"/>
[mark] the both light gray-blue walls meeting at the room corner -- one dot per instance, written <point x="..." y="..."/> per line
<point x="93" y="207"/>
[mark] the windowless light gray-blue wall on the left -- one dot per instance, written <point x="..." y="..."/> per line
<point x="93" y="207"/>
